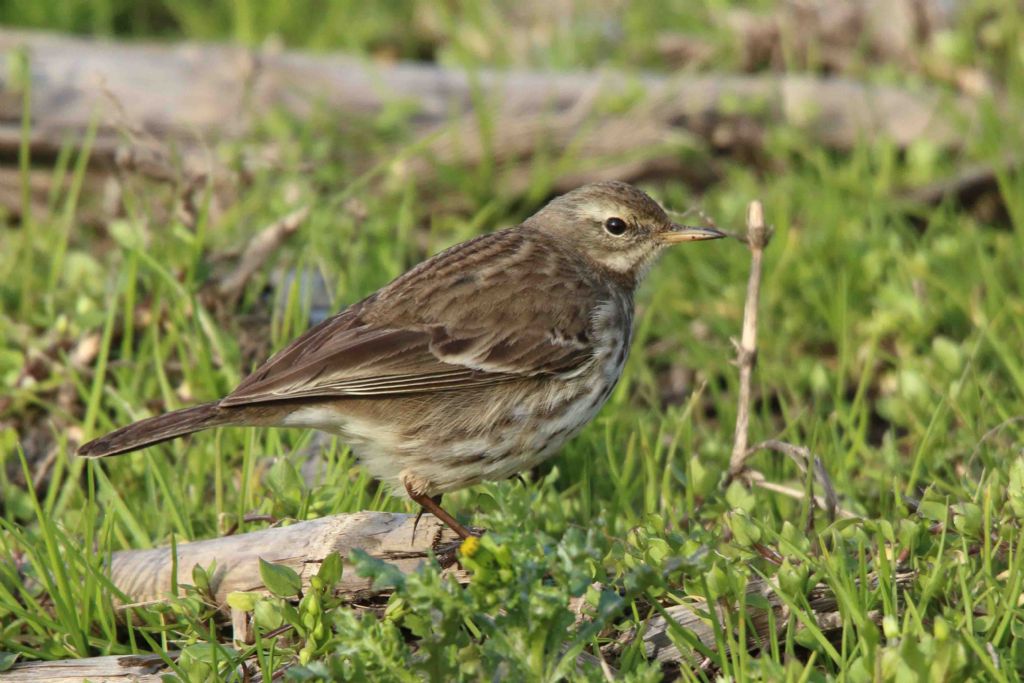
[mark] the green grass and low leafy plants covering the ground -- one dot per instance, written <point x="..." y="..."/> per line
<point x="890" y="346"/>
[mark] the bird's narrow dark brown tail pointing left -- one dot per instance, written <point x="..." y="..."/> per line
<point x="157" y="430"/>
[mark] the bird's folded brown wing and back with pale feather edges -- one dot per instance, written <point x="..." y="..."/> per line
<point x="471" y="322"/>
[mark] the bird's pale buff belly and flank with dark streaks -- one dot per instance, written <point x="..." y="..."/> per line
<point x="444" y="444"/>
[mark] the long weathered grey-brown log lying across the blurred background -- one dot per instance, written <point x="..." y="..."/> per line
<point x="193" y="93"/>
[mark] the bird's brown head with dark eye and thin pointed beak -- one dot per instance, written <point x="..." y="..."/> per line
<point x="616" y="226"/>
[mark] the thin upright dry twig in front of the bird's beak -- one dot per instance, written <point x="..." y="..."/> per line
<point x="757" y="238"/>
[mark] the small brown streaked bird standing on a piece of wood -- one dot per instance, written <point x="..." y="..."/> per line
<point x="478" y="364"/>
